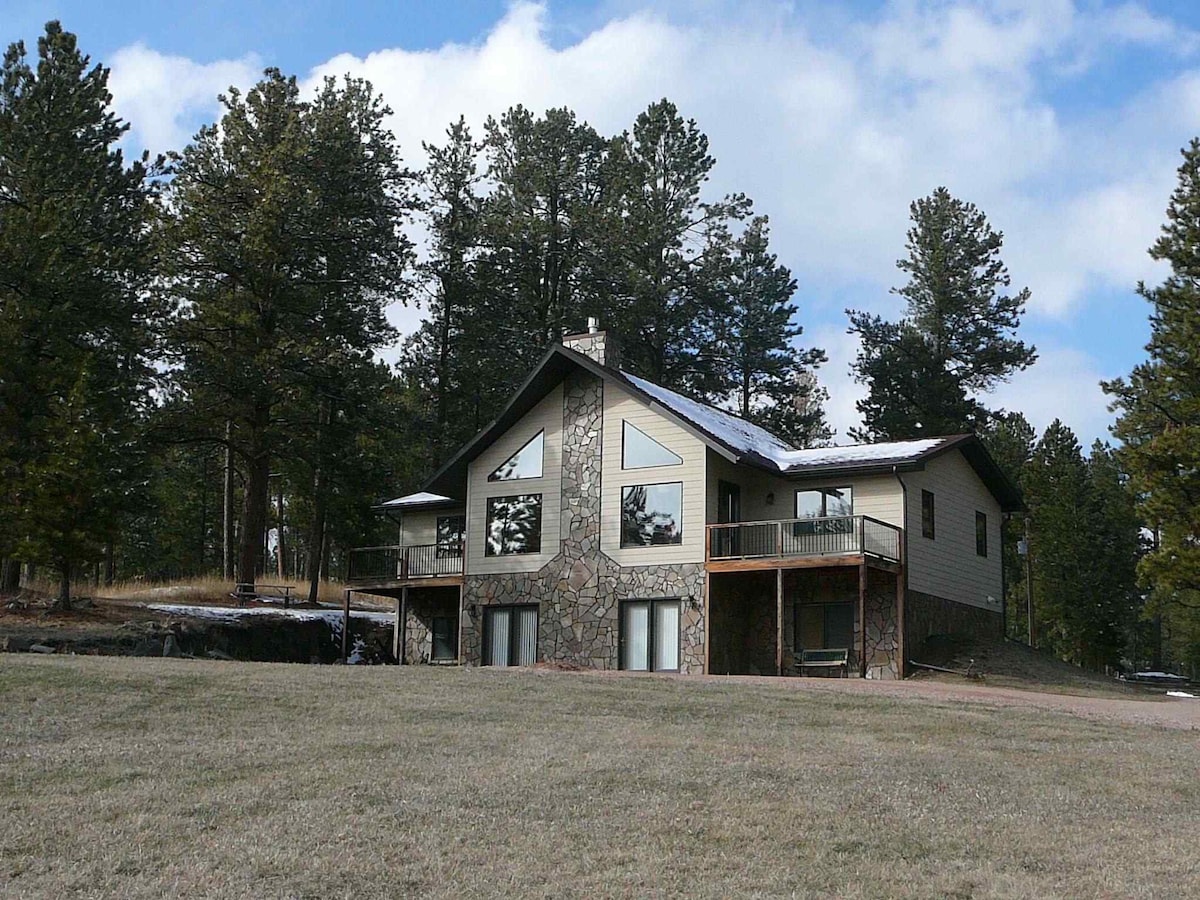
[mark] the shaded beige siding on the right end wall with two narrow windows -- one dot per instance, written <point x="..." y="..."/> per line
<point x="949" y="566"/>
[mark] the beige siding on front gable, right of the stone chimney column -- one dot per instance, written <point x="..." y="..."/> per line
<point x="620" y="407"/>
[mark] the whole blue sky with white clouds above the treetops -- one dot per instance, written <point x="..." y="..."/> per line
<point x="1061" y="121"/>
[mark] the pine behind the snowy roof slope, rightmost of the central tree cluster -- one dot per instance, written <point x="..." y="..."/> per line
<point x="758" y="364"/>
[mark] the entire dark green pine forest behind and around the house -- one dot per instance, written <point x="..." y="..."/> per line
<point x="190" y="346"/>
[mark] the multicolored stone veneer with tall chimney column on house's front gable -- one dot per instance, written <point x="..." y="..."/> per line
<point x="579" y="592"/>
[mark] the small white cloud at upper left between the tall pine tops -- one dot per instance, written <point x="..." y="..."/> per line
<point x="166" y="98"/>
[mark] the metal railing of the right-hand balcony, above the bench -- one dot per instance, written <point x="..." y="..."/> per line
<point x="836" y="536"/>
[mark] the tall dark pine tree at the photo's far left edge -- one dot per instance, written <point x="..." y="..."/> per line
<point x="76" y="322"/>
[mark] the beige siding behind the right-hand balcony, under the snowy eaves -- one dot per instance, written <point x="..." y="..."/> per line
<point x="877" y="496"/>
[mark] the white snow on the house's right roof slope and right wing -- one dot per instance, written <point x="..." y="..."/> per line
<point x="749" y="439"/>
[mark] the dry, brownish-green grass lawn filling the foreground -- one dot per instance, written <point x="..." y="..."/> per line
<point x="164" y="778"/>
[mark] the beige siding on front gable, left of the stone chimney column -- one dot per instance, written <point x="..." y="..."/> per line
<point x="547" y="416"/>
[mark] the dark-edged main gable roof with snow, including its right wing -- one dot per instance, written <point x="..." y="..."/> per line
<point x="733" y="437"/>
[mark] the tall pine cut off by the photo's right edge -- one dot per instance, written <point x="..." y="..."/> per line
<point x="1159" y="416"/>
